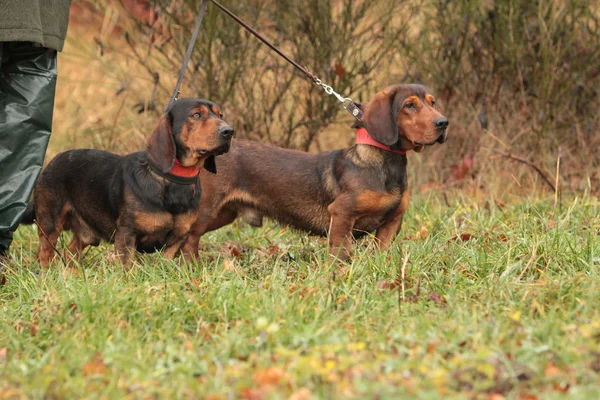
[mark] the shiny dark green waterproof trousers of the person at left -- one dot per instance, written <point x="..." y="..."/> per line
<point x="27" y="87"/>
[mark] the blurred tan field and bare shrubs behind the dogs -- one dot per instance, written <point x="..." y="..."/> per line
<point x="515" y="77"/>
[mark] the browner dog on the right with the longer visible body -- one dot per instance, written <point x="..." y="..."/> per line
<point x="342" y="193"/>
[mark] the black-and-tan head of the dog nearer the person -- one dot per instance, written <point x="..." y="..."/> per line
<point x="191" y="131"/>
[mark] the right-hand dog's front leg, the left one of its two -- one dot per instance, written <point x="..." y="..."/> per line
<point x="340" y="229"/>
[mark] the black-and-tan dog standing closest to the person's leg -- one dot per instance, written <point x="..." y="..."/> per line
<point x="145" y="200"/>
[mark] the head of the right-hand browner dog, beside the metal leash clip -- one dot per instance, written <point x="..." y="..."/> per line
<point x="405" y="117"/>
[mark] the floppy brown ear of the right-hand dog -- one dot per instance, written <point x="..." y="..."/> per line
<point x="379" y="119"/>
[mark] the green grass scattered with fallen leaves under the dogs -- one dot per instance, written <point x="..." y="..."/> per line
<point x="513" y="310"/>
